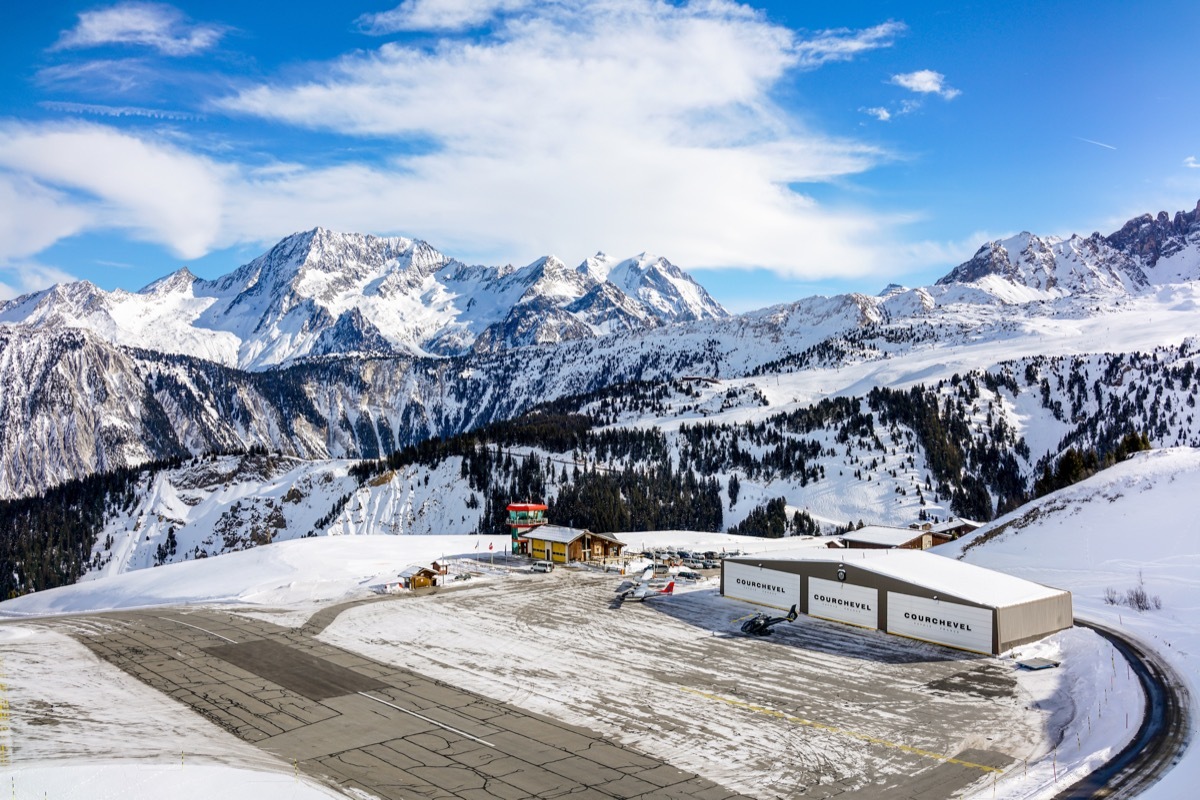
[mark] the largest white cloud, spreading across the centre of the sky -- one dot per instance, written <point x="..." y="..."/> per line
<point x="628" y="125"/>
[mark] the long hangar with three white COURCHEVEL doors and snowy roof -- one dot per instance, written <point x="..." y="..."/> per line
<point x="908" y="593"/>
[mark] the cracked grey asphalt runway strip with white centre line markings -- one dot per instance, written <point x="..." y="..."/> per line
<point x="365" y="725"/>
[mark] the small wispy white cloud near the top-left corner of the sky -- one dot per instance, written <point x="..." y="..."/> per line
<point x="148" y="25"/>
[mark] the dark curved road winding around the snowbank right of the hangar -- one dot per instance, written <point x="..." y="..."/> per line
<point x="1161" y="739"/>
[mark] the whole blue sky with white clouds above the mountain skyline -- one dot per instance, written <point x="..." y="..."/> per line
<point x="773" y="149"/>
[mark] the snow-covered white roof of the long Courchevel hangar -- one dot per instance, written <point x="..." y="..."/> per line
<point x="935" y="573"/>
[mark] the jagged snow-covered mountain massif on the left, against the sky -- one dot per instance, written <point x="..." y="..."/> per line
<point x="321" y="293"/>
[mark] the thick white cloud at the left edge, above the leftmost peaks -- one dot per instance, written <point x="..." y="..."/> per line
<point x="94" y="176"/>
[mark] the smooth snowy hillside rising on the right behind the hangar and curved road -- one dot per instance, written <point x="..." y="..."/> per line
<point x="1129" y="527"/>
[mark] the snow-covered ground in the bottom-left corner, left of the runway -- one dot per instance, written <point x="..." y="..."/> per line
<point x="73" y="726"/>
